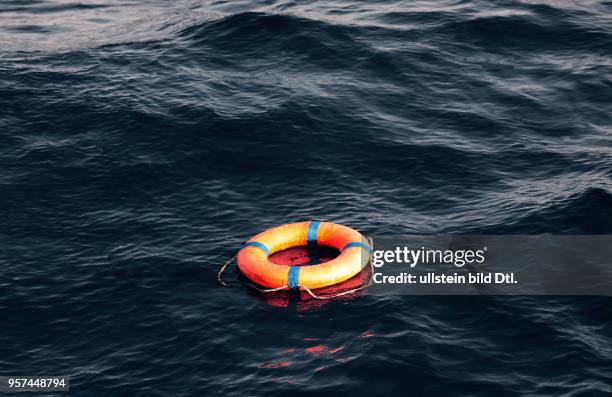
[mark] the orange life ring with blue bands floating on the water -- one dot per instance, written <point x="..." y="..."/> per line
<point x="354" y="255"/>
